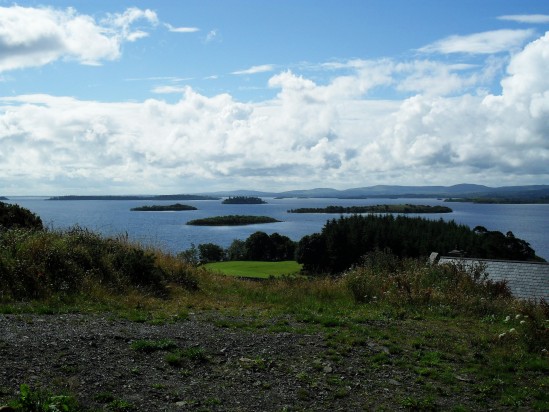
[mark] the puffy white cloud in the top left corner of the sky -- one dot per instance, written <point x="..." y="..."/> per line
<point x="32" y="37"/>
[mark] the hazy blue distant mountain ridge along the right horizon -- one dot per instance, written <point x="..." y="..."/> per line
<point x="460" y="190"/>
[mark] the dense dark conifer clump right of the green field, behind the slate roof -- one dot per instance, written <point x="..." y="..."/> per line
<point x="343" y="242"/>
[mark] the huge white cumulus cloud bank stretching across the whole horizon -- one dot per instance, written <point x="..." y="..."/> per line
<point x="308" y="134"/>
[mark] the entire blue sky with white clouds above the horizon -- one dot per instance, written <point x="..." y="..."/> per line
<point x="190" y="96"/>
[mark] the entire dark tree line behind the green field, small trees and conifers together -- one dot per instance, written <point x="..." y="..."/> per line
<point x="344" y="241"/>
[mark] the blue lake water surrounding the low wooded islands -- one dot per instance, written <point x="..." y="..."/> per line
<point x="168" y="230"/>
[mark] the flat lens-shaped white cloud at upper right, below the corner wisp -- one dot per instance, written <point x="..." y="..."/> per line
<point x="481" y="43"/>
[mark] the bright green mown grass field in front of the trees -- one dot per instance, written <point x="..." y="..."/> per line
<point x="255" y="269"/>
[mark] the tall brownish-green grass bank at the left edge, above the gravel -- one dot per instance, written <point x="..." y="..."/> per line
<point x="36" y="264"/>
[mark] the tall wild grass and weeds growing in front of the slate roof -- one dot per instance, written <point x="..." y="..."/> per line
<point x="410" y="282"/>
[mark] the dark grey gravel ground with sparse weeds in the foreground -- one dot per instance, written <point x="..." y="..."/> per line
<point x="92" y="357"/>
